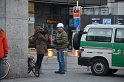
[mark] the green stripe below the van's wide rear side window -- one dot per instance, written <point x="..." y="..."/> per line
<point x="95" y="44"/>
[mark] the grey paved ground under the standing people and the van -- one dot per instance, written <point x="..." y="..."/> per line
<point x="75" y="73"/>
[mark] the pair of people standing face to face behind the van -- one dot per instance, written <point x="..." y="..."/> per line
<point x="60" y="44"/>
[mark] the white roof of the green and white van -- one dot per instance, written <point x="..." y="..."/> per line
<point x="102" y="26"/>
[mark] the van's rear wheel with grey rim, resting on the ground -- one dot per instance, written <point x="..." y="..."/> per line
<point x="99" y="67"/>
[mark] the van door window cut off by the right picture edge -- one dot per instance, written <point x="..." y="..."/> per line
<point x="119" y="38"/>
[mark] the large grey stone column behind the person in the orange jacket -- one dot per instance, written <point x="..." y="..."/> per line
<point x="14" y="19"/>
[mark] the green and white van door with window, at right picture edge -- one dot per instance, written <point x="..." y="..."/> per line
<point x="118" y="48"/>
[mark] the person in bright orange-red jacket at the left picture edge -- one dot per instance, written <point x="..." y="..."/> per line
<point x="3" y="46"/>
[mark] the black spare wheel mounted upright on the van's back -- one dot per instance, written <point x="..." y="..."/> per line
<point x="76" y="40"/>
